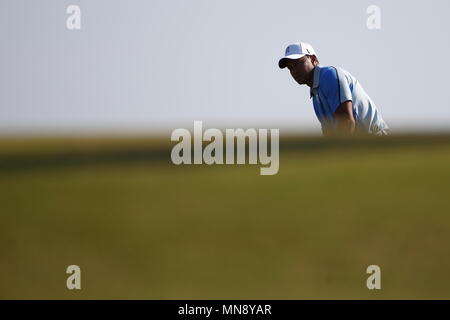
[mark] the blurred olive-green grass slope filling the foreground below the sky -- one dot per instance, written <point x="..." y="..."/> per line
<point x="140" y="227"/>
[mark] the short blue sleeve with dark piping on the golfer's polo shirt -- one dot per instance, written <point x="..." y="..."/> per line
<point x="335" y="88"/>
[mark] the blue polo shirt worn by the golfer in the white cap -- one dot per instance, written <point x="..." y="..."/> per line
<point x="333" y="86"/>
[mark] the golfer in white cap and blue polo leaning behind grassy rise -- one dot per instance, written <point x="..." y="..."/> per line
<point x="340" y="102"/>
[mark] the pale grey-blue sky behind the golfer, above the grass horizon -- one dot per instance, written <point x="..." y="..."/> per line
<point x="149" y="65"/>
